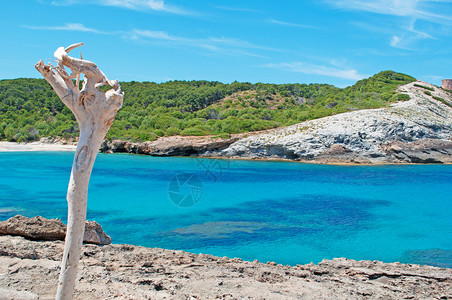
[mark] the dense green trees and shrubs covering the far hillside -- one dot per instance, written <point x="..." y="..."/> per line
<point x="29" y="109"/>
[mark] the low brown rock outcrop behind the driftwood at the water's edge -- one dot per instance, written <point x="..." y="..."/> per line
<point x="40" y="228"/>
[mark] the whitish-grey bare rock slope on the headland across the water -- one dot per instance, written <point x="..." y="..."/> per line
<point x="361" y="135"/>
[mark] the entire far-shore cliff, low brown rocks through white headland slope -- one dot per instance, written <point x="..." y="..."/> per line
<point x="415" y="131"/>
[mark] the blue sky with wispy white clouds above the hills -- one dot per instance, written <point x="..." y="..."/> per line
<point x="322" y="41"/>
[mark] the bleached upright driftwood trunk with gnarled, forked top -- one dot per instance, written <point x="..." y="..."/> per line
<point x="94" y="111"/>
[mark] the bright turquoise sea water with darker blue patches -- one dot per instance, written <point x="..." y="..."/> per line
<point x="290" y="213"/>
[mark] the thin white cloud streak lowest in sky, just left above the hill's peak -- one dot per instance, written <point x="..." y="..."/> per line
<point x="307" y="68"/>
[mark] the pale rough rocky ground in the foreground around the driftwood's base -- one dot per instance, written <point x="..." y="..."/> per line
<point x="29" y="270"/>
